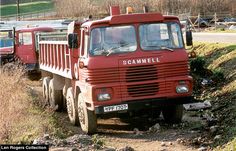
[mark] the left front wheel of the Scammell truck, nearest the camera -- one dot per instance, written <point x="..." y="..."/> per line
<point x="87" y="118"/>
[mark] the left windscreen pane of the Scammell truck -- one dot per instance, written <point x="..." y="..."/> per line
<point x="112" y="40"/>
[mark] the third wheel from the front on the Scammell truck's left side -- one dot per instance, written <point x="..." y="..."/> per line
<point x="55" y="97"/>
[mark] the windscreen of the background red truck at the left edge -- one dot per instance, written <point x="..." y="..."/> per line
<point x="6" y="39"/>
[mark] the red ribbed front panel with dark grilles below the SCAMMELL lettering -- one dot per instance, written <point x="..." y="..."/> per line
<point x="138" y="81"/>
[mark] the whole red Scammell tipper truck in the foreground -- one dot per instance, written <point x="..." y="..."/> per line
<point x="124" y="63"/>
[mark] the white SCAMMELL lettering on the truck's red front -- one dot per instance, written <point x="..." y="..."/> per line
<point x="140" y="61"/>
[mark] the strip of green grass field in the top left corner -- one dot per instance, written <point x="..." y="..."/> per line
<point x="11" y="9"/>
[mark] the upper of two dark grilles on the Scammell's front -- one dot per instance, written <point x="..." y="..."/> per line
<point x="141" y="73"/>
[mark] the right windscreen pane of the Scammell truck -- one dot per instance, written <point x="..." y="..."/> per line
<point x="160" y="36"/>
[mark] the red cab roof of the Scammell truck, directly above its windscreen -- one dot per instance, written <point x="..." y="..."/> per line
<point x="131" y="18"/>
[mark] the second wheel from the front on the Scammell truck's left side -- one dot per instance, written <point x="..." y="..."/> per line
<point x="72" y="110"/>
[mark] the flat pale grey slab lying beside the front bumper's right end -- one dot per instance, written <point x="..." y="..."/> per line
<point x="197" y="106"/>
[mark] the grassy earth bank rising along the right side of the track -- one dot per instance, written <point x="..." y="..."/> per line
<point x="222" y="57"/>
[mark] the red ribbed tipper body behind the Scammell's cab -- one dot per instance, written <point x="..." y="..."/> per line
<point x="54" y="54"/>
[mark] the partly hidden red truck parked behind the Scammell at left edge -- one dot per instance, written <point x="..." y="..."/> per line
<point x="21" y="45"/>
